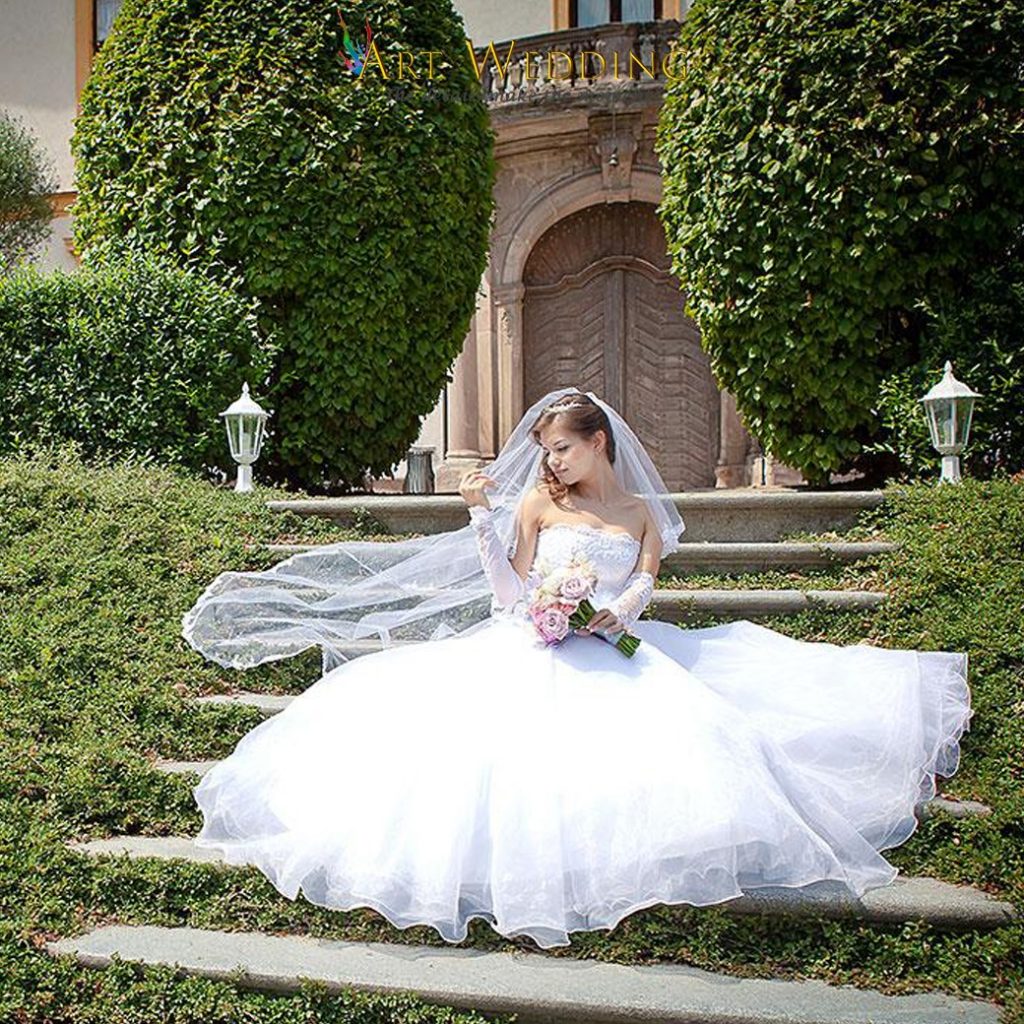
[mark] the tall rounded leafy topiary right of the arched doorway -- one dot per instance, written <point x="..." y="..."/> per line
<point x="835" y="172"/>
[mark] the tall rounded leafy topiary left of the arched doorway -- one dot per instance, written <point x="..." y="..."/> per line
<point x="233" y="136"/>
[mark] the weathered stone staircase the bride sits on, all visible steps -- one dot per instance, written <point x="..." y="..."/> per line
<point x="728" y="533"/>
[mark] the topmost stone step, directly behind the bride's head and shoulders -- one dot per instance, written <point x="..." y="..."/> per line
<point x="751" y="516"/>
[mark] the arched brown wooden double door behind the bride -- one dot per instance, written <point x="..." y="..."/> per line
<point x="603" y="312"/>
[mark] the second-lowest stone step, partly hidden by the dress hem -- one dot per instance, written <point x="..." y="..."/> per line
<point x="941" y="904"/>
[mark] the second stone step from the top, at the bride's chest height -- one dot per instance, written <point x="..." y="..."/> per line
<point x="734" y="557"/>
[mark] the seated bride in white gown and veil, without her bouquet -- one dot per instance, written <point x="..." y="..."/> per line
<point x="463" y="767"/>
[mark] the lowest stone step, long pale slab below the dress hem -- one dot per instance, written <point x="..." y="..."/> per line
<point x="539" y="989"/>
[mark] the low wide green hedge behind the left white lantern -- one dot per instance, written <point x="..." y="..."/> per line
<point x="131" y="359"/>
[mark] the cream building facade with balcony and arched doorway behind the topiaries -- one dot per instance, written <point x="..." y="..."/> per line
<point x="577" y="289"/>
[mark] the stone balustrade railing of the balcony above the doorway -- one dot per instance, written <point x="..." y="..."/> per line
<point x="572" y="60"/>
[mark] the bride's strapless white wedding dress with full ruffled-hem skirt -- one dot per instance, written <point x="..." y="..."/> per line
<point x="552" y="790"/>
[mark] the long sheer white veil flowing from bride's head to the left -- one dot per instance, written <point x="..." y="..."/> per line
<point x="356" y="598"/>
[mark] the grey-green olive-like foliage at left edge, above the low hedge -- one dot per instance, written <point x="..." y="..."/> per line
<point x="27" y="180"/>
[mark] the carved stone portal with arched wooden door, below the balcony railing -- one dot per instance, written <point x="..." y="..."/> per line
<point x="564" y="169"/>
